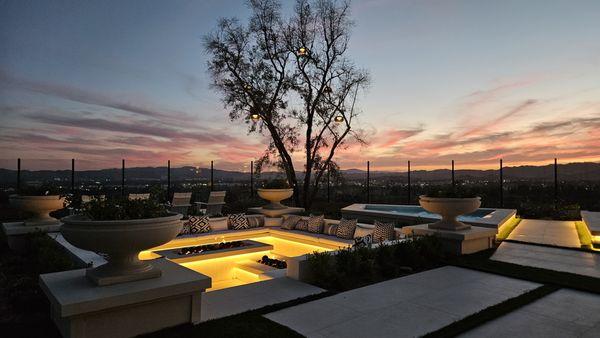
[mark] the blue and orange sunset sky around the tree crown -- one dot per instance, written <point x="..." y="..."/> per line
<point x="472" y="81"/>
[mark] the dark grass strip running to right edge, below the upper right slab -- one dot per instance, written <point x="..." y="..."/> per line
<point x="480" y="261"/>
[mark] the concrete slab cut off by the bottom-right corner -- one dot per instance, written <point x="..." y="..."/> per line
<point x="564" y="313"/>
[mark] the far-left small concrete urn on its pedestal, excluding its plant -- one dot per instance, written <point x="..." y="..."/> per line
<point x="39" y="207"/>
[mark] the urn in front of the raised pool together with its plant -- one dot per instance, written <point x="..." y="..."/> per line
<point x="449" y="202"/>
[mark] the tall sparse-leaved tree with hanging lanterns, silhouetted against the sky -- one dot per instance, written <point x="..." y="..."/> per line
<point x="290" y="79"/>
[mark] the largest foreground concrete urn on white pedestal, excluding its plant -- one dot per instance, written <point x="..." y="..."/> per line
<point x="121" y="241"/>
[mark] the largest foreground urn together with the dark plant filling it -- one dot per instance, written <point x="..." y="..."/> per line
<point x="121" y="228"/>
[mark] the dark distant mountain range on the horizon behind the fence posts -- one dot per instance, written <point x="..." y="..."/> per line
<point x="587" y="171"/>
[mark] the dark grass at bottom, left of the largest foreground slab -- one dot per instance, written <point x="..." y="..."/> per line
<point x="246" y="324"/>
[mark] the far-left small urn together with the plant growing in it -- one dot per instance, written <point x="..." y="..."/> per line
<point x="38" y="202"/>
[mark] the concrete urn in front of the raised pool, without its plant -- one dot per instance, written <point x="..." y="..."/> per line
<point x="449" y="209"/>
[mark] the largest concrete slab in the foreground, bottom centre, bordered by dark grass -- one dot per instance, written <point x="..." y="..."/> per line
<point x="409" y="306"/>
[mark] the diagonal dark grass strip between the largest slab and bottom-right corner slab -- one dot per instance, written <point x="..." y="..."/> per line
<point x="490" y="313"/>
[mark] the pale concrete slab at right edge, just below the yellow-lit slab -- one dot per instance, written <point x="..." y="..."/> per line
<point x="573" y="261"/>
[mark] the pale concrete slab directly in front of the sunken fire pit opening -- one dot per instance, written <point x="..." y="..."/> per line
<point x="226" y="302"/>
